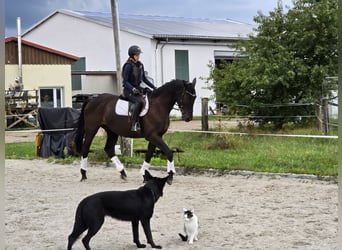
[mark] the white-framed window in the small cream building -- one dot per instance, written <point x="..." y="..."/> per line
<point x="51" y="97"/>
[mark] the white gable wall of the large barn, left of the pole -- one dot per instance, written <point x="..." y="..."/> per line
<point x="70" y="38"/>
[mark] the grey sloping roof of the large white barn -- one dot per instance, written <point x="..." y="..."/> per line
<point x="162" y="27"/>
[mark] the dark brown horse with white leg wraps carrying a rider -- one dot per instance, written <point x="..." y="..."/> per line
<point x="100" y="112"/>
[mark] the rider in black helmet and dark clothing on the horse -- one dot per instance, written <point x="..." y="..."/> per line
<point x="133" y="74"/>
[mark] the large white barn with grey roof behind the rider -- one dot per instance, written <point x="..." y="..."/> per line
<point x="173" y="47"/>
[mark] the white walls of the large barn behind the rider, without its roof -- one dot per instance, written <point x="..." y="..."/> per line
<point x="158" y="59"/>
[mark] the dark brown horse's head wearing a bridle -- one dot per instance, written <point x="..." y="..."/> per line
<point x="187" y="99"/>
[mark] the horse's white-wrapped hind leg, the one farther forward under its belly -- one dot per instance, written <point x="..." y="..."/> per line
<point x="112" y="138"/>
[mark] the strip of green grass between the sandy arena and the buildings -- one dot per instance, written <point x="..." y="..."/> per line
<point x="225" y="152"/>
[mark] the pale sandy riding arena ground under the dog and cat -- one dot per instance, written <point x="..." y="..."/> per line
<point x="235" y="212"/>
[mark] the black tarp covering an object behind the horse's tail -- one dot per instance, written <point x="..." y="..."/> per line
<point x="53" y="143"/>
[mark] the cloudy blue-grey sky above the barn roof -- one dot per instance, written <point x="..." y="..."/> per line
<point x="32" y="11"/>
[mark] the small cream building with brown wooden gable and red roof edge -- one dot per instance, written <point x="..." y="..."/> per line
<point x="45" y="70"/>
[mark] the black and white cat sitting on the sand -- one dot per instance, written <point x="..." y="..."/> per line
<point x="190" y="226"/>
